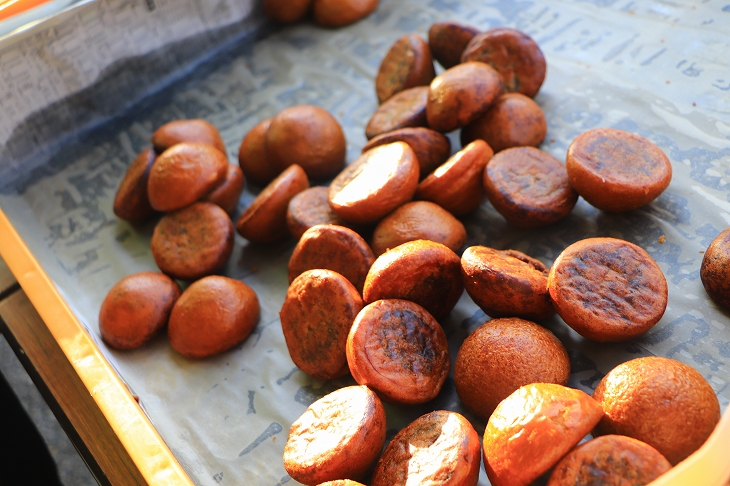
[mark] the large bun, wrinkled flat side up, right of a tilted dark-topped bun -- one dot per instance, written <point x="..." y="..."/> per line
<point x="607" y="289"/>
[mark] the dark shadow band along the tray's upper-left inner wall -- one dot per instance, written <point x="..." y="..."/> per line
<point x="127" y="90"/>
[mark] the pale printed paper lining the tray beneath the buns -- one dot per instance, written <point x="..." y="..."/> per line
<point x="658" y="69"/>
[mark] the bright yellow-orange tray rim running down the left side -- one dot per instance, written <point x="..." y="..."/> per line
<point x="146" y="448"/>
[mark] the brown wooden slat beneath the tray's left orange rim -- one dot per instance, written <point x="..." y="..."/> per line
<point x="24" y="326"/>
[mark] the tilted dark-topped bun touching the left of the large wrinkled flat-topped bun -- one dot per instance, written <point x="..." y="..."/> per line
<point x="506" y="283"/>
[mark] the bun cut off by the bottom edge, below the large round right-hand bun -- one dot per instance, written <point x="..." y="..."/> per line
<point x="611" y="460"/>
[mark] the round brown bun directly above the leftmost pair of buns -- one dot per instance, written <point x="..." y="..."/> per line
<point x="193" y="242"/>
